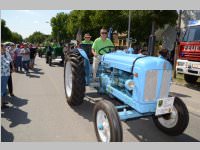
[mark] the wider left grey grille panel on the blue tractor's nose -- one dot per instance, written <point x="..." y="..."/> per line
<point x="150" y="85"/>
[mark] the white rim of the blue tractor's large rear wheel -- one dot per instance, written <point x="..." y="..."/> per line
<point x="68" y="79"/>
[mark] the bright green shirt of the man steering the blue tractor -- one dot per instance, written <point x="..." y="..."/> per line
<point x="99" y="43"/>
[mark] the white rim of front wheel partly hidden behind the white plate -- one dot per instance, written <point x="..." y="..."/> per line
<point x="172" y="121"/>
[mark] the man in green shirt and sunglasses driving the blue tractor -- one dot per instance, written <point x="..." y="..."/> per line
<point x="98" y="44"/>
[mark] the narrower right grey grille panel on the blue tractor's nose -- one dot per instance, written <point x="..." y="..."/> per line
<point x="165" y="83"/>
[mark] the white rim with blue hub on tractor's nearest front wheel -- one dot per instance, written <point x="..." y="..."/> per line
<point x="103" y="126"/>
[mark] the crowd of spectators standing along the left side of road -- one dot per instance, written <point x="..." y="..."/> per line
<point x="14" y="58"/>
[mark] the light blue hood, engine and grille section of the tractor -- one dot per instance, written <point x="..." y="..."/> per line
<point x="135" y="79"/>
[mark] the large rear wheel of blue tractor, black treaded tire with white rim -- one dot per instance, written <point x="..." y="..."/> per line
<point x="74" y="78"/>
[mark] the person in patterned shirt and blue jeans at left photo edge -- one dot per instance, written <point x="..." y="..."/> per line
<point x="6" y="60"/>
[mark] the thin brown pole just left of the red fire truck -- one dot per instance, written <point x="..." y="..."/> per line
<point x="177" y="41"/>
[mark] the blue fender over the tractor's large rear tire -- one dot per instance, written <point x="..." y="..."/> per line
<point x="86" y="65"/>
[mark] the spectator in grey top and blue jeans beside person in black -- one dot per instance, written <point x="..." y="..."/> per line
<point x="25" y="52"/>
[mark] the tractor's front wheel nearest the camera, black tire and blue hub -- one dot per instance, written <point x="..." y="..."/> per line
<point x="107" y="124"/>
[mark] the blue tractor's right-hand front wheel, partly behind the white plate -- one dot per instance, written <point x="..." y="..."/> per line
<point x="175" y="123"/>
